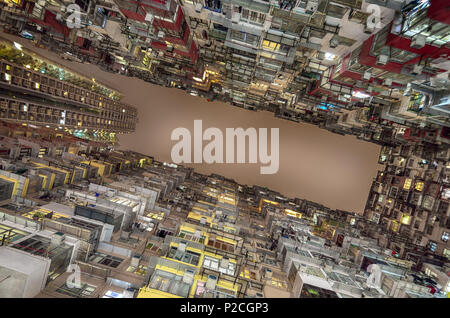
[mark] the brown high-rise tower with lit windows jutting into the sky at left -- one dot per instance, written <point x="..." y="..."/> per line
<point x="38" y="92"/>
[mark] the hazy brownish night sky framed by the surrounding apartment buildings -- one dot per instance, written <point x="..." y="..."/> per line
<point x="333" y="170"/>
